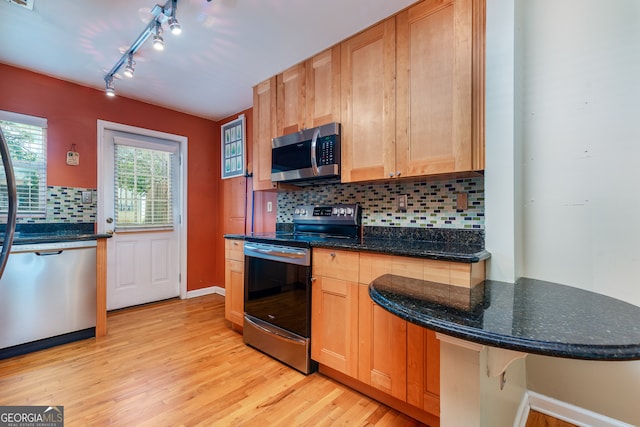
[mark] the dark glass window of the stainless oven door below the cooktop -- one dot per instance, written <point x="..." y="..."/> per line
<point x="279" y="293"/>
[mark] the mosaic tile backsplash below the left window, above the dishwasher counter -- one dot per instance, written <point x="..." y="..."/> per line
<point x="64" y="205"/>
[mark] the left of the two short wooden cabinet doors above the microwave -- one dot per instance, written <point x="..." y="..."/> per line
<point x="291" y="100"/>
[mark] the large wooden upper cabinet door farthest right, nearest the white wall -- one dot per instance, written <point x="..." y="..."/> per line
<point x="439" y="128"/>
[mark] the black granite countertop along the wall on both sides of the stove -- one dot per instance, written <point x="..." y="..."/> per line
<point x="464" y="246"/>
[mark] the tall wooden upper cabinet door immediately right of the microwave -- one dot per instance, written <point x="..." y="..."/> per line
<point x="368" y="104"/>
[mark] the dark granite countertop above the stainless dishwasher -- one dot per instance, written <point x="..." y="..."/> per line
<point x="27" y="234"/>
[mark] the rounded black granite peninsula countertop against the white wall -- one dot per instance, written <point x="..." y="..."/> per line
<point x="531" y="316"/>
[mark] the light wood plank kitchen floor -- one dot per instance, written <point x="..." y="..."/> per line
<point x="177" y="363"/>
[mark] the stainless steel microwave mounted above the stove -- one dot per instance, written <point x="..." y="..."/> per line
<point x="307" y="156"/>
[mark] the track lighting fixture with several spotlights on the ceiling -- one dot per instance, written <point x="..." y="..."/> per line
<point x="161" y="15"/>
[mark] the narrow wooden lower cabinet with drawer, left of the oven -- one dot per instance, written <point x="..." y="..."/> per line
<point x="234" y="281"/>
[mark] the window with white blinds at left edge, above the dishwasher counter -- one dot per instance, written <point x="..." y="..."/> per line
<point x="26" y="137"/>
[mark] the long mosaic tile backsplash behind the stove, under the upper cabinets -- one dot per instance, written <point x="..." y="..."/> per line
<point x="429" y="204"/>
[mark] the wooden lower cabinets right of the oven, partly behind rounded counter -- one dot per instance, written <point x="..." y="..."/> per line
<point x="359" y="343"/>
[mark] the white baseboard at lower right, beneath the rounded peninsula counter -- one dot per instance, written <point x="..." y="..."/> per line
<point x="563" y="411"/>
